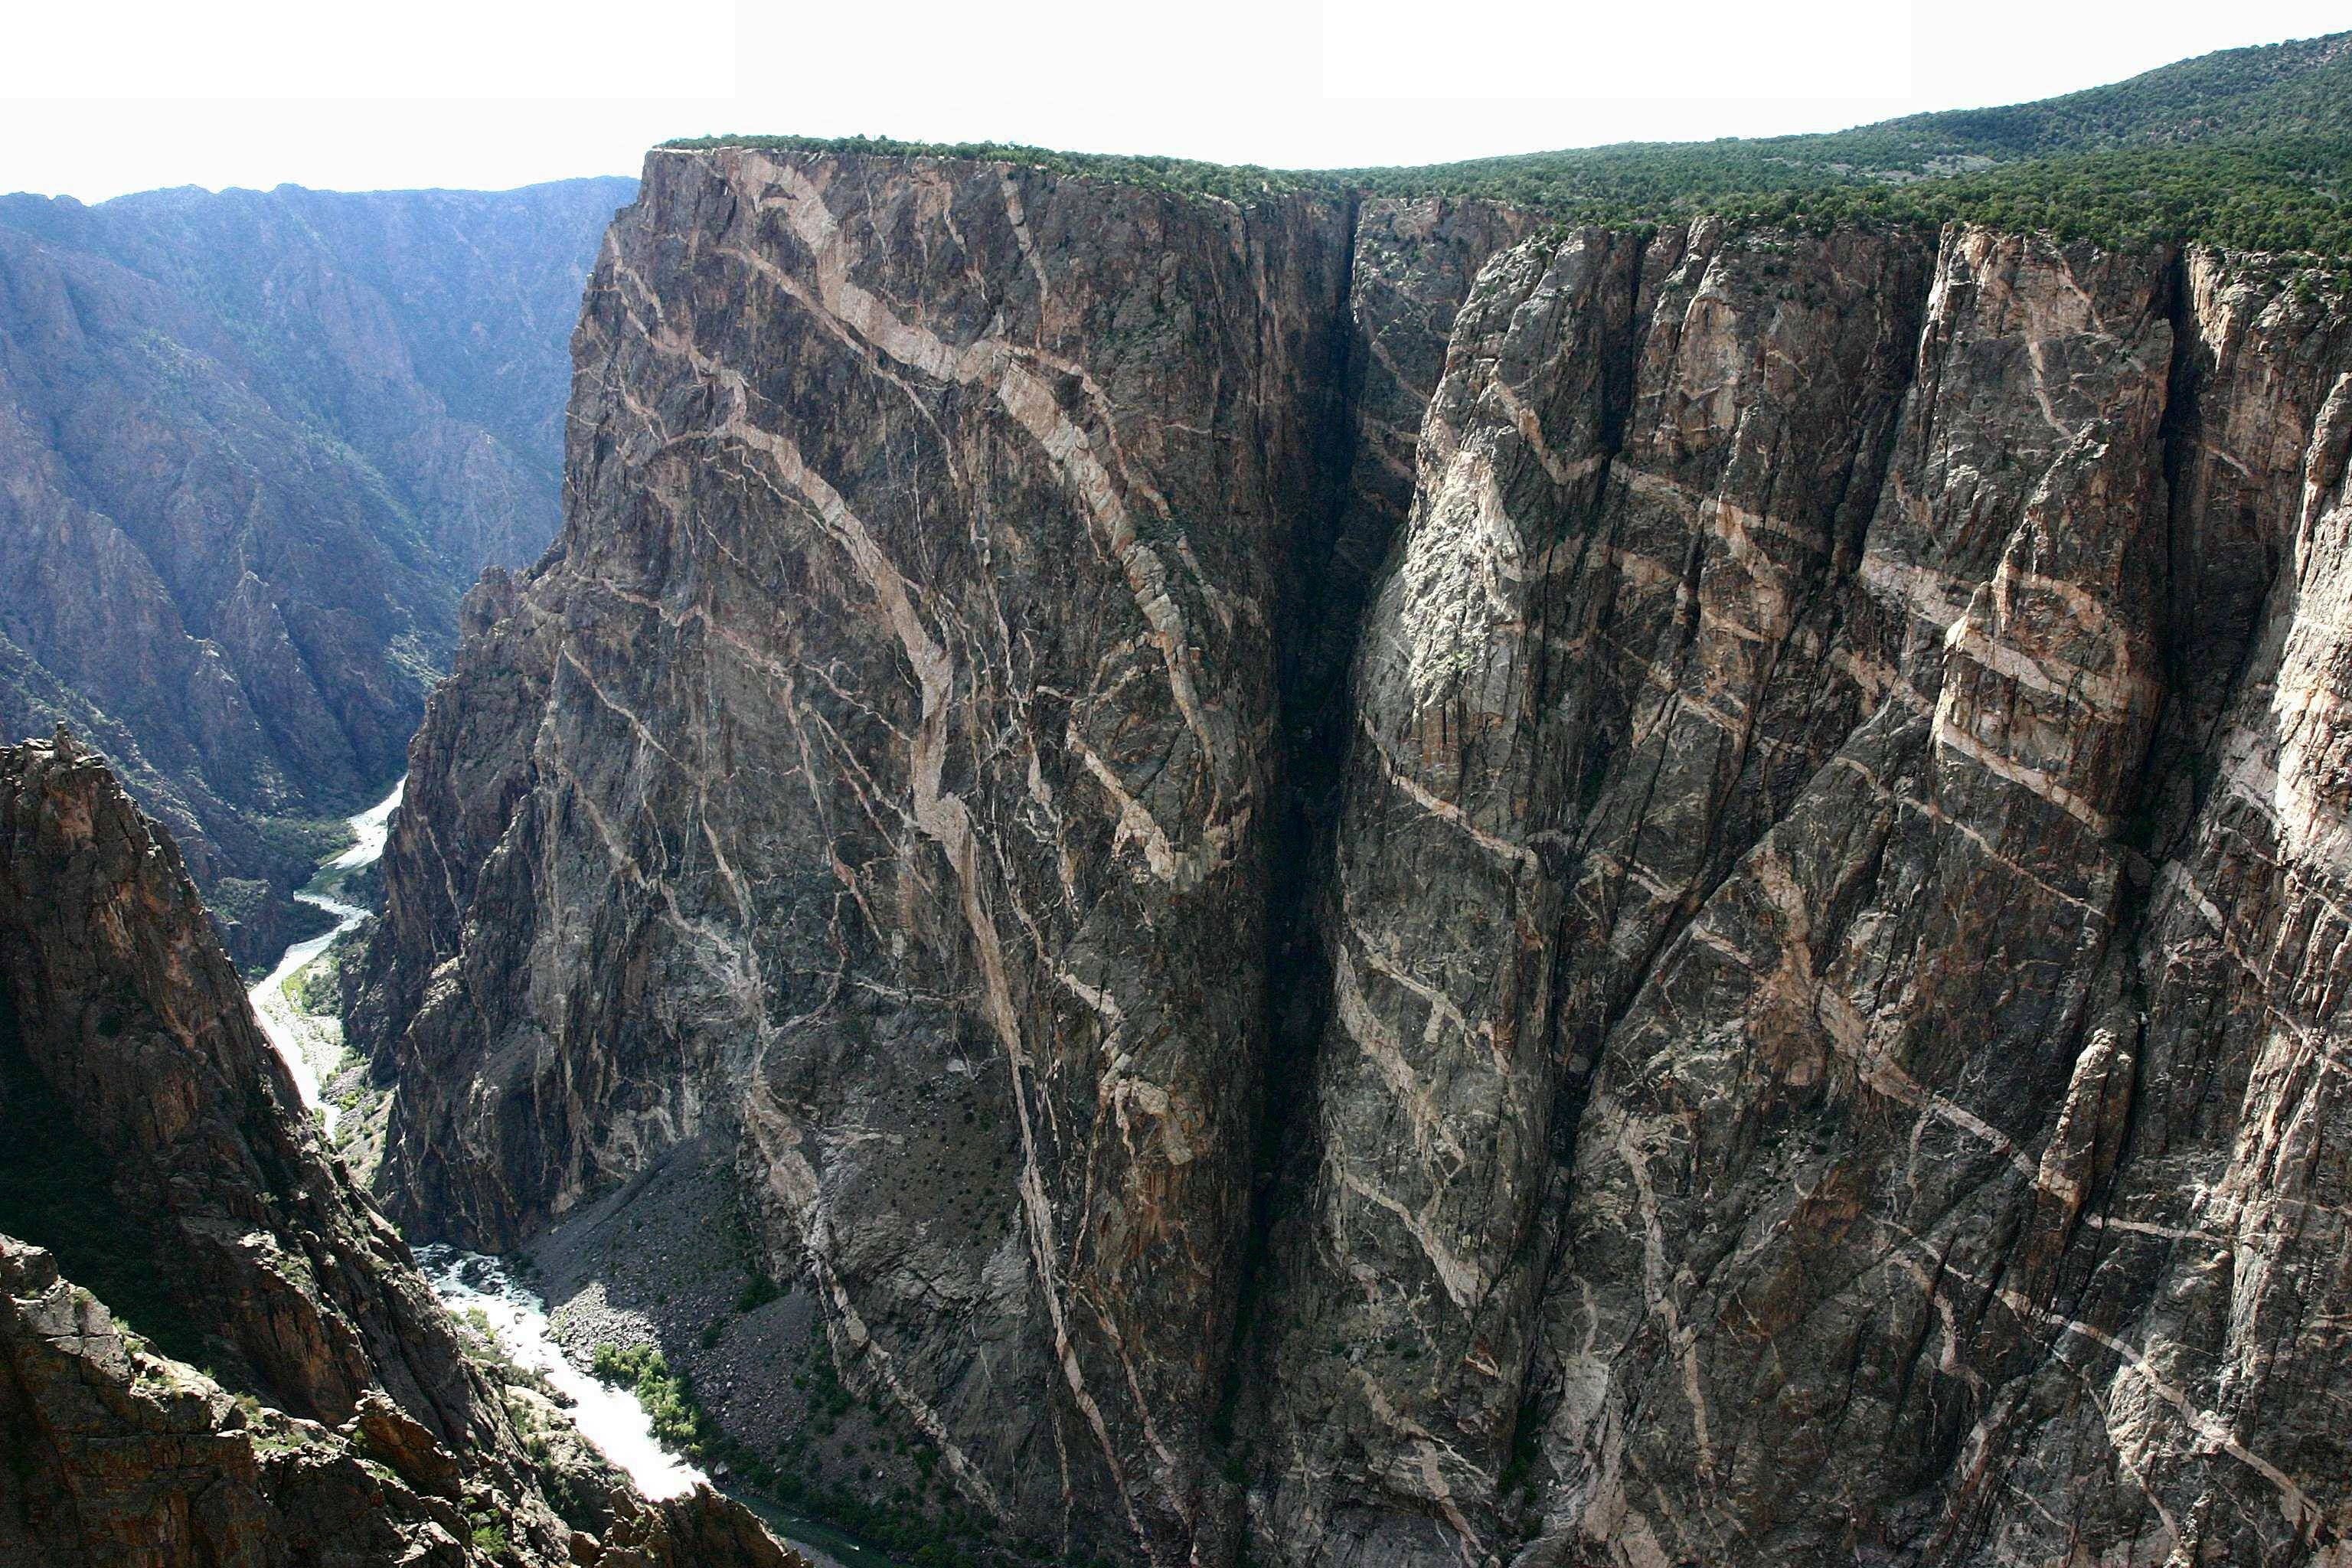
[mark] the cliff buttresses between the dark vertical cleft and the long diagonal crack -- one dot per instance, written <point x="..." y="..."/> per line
<point x="1575" y="709"/>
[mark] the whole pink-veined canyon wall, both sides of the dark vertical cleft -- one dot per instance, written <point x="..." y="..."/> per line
<point x="1363" y="887"/>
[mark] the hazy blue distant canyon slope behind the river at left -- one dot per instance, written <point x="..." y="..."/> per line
<point x="253" y="450"/>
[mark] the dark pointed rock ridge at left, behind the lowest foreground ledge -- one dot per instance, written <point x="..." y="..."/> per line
<point x="178" y="1172"/>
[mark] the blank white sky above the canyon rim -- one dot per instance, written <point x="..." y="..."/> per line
<point x="100" y="100"/>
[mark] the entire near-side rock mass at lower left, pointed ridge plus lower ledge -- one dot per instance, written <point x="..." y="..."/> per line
<point x="281" y="1386"/>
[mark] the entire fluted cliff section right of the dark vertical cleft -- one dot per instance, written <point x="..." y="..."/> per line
<point x="1796" y="1094"/>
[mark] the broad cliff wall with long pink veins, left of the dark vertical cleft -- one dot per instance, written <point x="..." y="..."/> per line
<point x="956" y="518"/>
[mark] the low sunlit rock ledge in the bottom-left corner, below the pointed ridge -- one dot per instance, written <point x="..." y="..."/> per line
<point x="126" y="1459"/>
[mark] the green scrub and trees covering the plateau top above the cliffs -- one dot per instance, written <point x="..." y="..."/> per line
<point x="2247" y="149"/>
